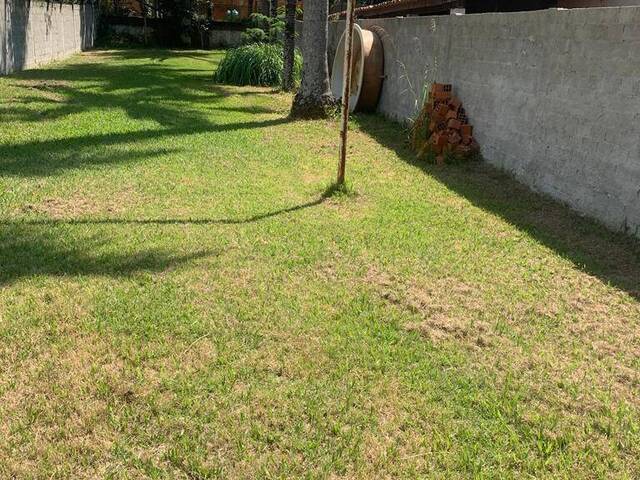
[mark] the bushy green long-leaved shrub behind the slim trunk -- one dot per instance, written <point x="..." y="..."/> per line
<point x="257" y="64"/>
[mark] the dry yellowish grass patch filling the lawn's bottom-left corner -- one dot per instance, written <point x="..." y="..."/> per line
<point x="72" y="396"/>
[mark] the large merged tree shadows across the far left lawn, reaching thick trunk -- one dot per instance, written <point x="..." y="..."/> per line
<point x="179" y="101"/>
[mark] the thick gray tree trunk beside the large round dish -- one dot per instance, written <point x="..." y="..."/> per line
<point x="314" y="98"/>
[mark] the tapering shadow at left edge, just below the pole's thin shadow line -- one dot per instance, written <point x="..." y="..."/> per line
<point x="28" y="250"/>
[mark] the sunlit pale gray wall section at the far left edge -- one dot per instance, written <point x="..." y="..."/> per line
<point x="34" y="32"/>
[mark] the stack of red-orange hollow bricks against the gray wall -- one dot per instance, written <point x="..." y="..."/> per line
<point x="448" y="131"/>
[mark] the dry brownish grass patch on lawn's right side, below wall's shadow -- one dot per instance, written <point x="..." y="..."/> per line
<point x="580" y="334"/>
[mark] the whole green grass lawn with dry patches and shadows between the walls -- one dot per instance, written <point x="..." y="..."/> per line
<point x="178" y="299"/>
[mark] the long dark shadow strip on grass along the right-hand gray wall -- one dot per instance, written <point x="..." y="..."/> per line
<point x="612" y="257"/>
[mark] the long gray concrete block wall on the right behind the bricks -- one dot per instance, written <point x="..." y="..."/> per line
<point x="554" y="95"/>
